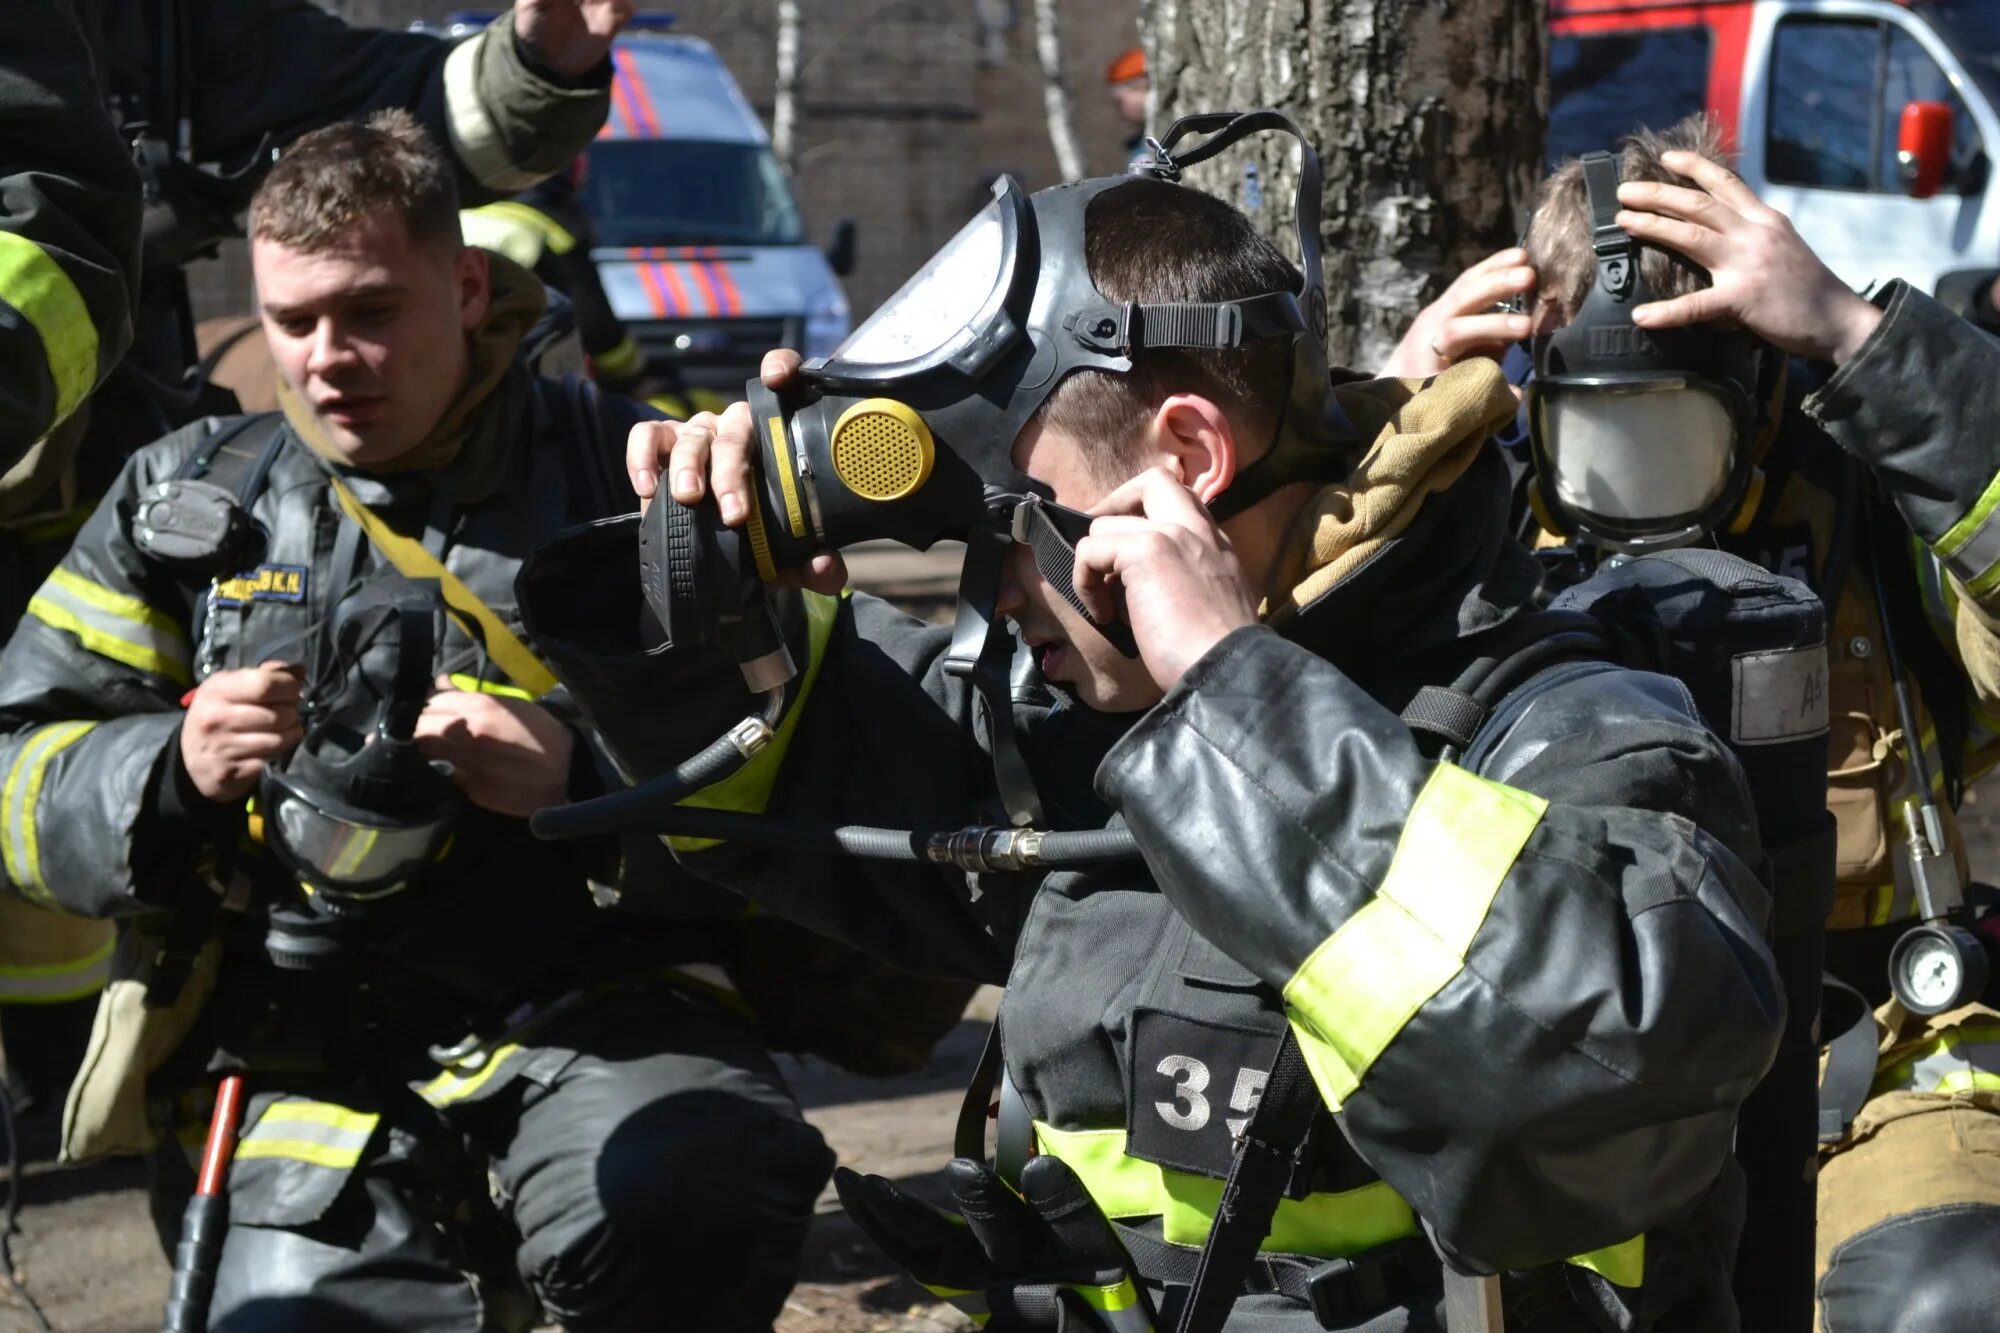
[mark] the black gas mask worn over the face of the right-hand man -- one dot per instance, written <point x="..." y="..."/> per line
<point x="1643" y="439"/>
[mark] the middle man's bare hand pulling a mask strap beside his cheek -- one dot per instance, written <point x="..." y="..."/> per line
<point x="1185" y="589"/>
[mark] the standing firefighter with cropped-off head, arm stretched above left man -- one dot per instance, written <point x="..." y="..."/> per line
<point x="181" y="85"/>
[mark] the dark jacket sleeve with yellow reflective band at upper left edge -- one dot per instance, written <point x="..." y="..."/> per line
<point x="69" y="227"/>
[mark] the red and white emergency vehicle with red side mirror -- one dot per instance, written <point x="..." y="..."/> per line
<point x="1869" y="123"/>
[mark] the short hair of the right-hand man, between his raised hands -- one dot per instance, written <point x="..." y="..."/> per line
<point x="1559" y="231"/>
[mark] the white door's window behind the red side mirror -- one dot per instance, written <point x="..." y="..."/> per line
<point x="1837" y="97"/>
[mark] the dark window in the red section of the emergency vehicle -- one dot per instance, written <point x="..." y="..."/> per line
<point x="1609" y="85"/>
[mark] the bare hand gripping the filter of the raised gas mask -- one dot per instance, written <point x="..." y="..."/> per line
<point x="719" y="451"/>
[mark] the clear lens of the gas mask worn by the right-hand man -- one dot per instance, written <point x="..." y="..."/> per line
<point x="1637" y="455"/>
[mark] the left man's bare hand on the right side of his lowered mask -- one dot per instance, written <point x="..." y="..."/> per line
<point x="509" y="756"/>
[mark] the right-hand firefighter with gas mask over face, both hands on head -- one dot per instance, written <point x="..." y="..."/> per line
<point x="1865" y="465"/>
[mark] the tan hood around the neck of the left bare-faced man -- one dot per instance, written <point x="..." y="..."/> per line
<point x="517" y="305"/>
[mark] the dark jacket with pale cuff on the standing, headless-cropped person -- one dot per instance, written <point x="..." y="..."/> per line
<point x="247" y="81"/>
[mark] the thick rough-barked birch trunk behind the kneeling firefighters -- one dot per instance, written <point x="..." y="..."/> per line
<point x="1429" y="119"/>
